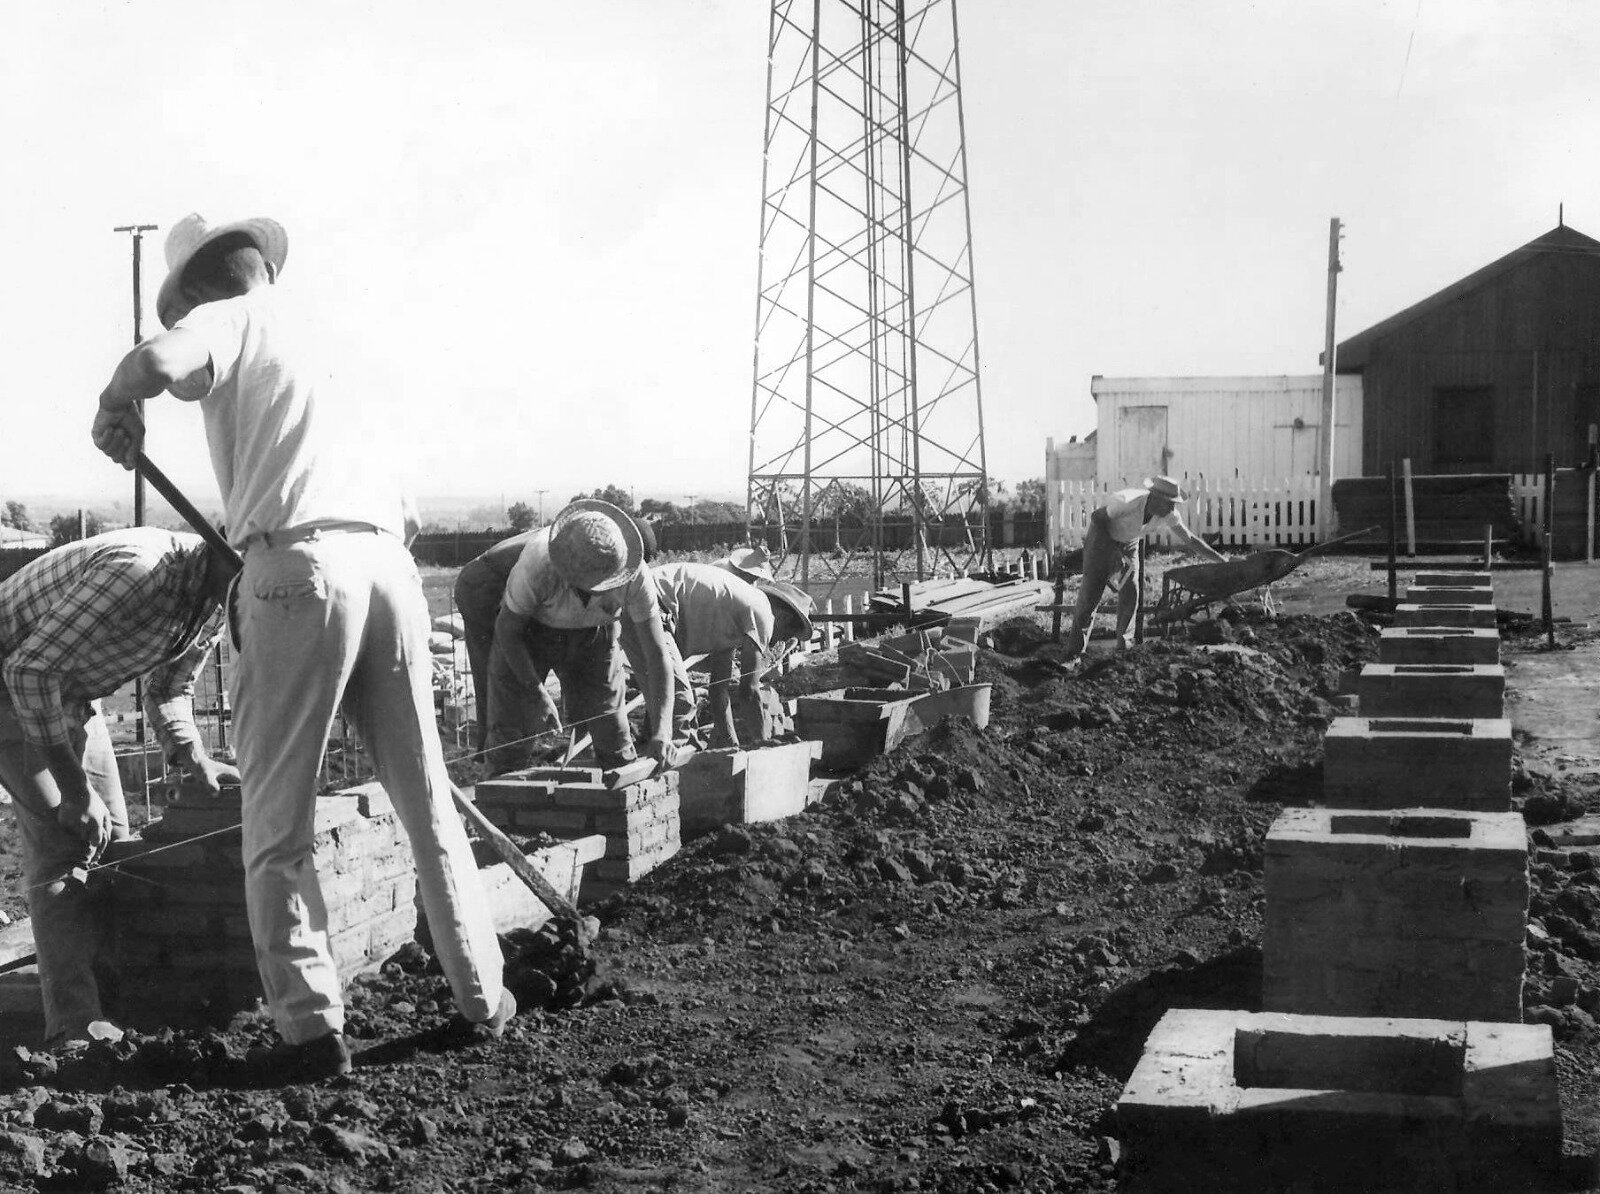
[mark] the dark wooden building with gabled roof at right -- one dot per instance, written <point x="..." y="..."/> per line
<point x="1490" y="374"/>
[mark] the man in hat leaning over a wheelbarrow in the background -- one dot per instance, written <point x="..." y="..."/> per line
<point x="1113" y="545"/>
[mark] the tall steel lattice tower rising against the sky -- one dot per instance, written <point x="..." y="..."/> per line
<point x="866" y="412"/>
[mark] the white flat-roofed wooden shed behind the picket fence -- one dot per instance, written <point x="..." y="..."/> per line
<point x="1218" y="428"/>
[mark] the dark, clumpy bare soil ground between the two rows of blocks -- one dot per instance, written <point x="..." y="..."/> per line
<point x="938" y="979"/>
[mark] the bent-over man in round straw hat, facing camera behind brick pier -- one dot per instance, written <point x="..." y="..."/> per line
<point x="570" y="587"/>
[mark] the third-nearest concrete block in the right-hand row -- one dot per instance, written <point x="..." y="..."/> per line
<point x="1418" y="763"/>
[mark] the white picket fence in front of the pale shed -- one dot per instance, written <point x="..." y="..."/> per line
<point x="1239" y="511"/>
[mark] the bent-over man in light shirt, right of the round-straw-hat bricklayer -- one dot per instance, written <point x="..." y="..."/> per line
<point x="708" y="611"/>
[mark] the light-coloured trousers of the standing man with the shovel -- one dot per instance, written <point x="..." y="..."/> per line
<point x="326" y="620"/>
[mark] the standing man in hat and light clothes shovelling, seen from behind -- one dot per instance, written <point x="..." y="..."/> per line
<point x="332" y="614"/>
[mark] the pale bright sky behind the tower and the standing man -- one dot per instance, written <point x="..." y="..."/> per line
<point x="545" y="215"/>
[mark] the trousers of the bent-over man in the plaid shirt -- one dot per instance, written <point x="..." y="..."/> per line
<point x="68" y="931"/>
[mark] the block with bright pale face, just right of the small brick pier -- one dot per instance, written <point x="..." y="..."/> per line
<point x="735" y="787"/>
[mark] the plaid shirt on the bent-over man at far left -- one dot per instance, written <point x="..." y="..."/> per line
<point x="87" y="619"/>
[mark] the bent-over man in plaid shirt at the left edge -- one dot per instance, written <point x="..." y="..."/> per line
<point x="78" y="625"/>
